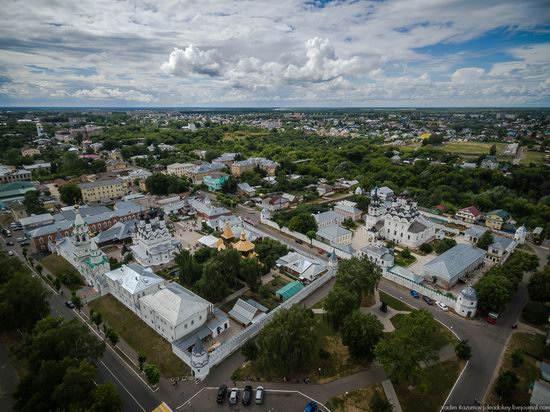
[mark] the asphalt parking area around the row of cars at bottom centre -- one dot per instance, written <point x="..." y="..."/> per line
<point x="274" y="401"/>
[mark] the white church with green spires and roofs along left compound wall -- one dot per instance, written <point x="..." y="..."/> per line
<point x="82" y="252"/>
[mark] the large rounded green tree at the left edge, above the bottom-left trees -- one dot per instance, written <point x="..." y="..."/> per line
<point x="23" y="301"/>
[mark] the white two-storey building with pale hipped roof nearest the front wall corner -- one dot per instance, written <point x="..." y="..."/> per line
<point x="174" y="311"/>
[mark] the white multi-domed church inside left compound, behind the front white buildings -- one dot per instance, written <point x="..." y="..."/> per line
<point x="153" y="244"/>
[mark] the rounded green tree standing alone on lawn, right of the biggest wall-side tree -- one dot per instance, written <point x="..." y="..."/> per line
<point x="361" y="333"/>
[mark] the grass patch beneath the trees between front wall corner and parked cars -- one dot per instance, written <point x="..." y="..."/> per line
<point x="338" y="365"/>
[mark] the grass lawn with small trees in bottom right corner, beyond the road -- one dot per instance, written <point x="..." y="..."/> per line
<point x="533" y="348"/>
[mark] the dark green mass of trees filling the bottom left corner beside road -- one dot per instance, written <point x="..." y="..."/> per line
<point x="60" y="354"/>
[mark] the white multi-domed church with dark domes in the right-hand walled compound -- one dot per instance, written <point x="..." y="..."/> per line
<point x="397" y="219"/>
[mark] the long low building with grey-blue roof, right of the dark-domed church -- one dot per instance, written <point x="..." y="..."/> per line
<point x="454" y="264"/>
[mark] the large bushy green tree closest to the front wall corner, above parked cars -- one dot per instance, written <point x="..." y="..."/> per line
<point x="285" y="344"/>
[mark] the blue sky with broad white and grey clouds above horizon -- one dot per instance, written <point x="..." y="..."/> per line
<point x="276" y="53"/>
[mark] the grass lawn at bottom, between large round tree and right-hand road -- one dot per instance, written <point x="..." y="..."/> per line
<point x="440" y="378"/>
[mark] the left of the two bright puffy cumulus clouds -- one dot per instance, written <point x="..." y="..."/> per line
<point x="193" y="60"/>
